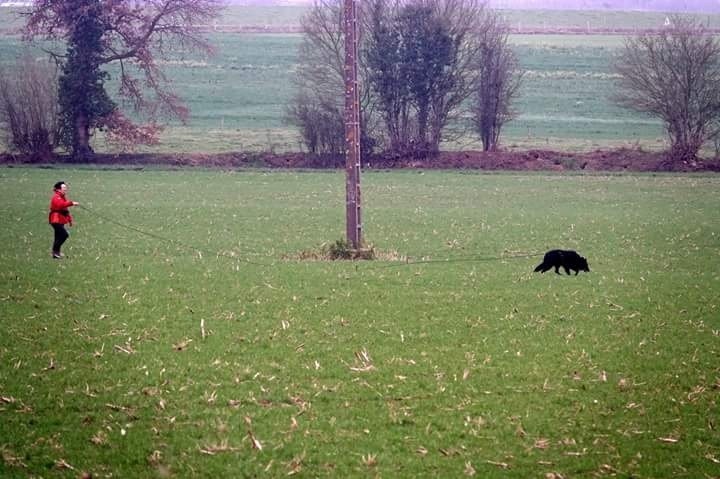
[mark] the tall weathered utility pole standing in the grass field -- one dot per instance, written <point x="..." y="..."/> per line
<point x="352" y="128"/>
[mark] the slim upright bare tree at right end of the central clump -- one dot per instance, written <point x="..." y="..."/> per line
<point x="498" y="83"/>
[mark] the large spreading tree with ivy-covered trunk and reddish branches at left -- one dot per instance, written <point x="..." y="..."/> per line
<point x="135" y="36"/>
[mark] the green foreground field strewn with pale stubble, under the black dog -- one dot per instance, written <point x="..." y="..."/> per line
<point x="141" y="357"/>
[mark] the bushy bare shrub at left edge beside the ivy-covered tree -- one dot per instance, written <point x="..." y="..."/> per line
<point x="29" y="108"/>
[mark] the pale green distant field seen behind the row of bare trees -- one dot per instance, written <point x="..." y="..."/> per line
<point x="237" y="98"/>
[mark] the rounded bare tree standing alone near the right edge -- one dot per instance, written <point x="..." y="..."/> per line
<point x="675" y="76"/>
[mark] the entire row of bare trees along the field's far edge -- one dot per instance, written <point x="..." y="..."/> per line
<point x="430" y="70"/>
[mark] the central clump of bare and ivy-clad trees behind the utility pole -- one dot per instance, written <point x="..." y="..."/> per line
<point x="423" y="64"/>
